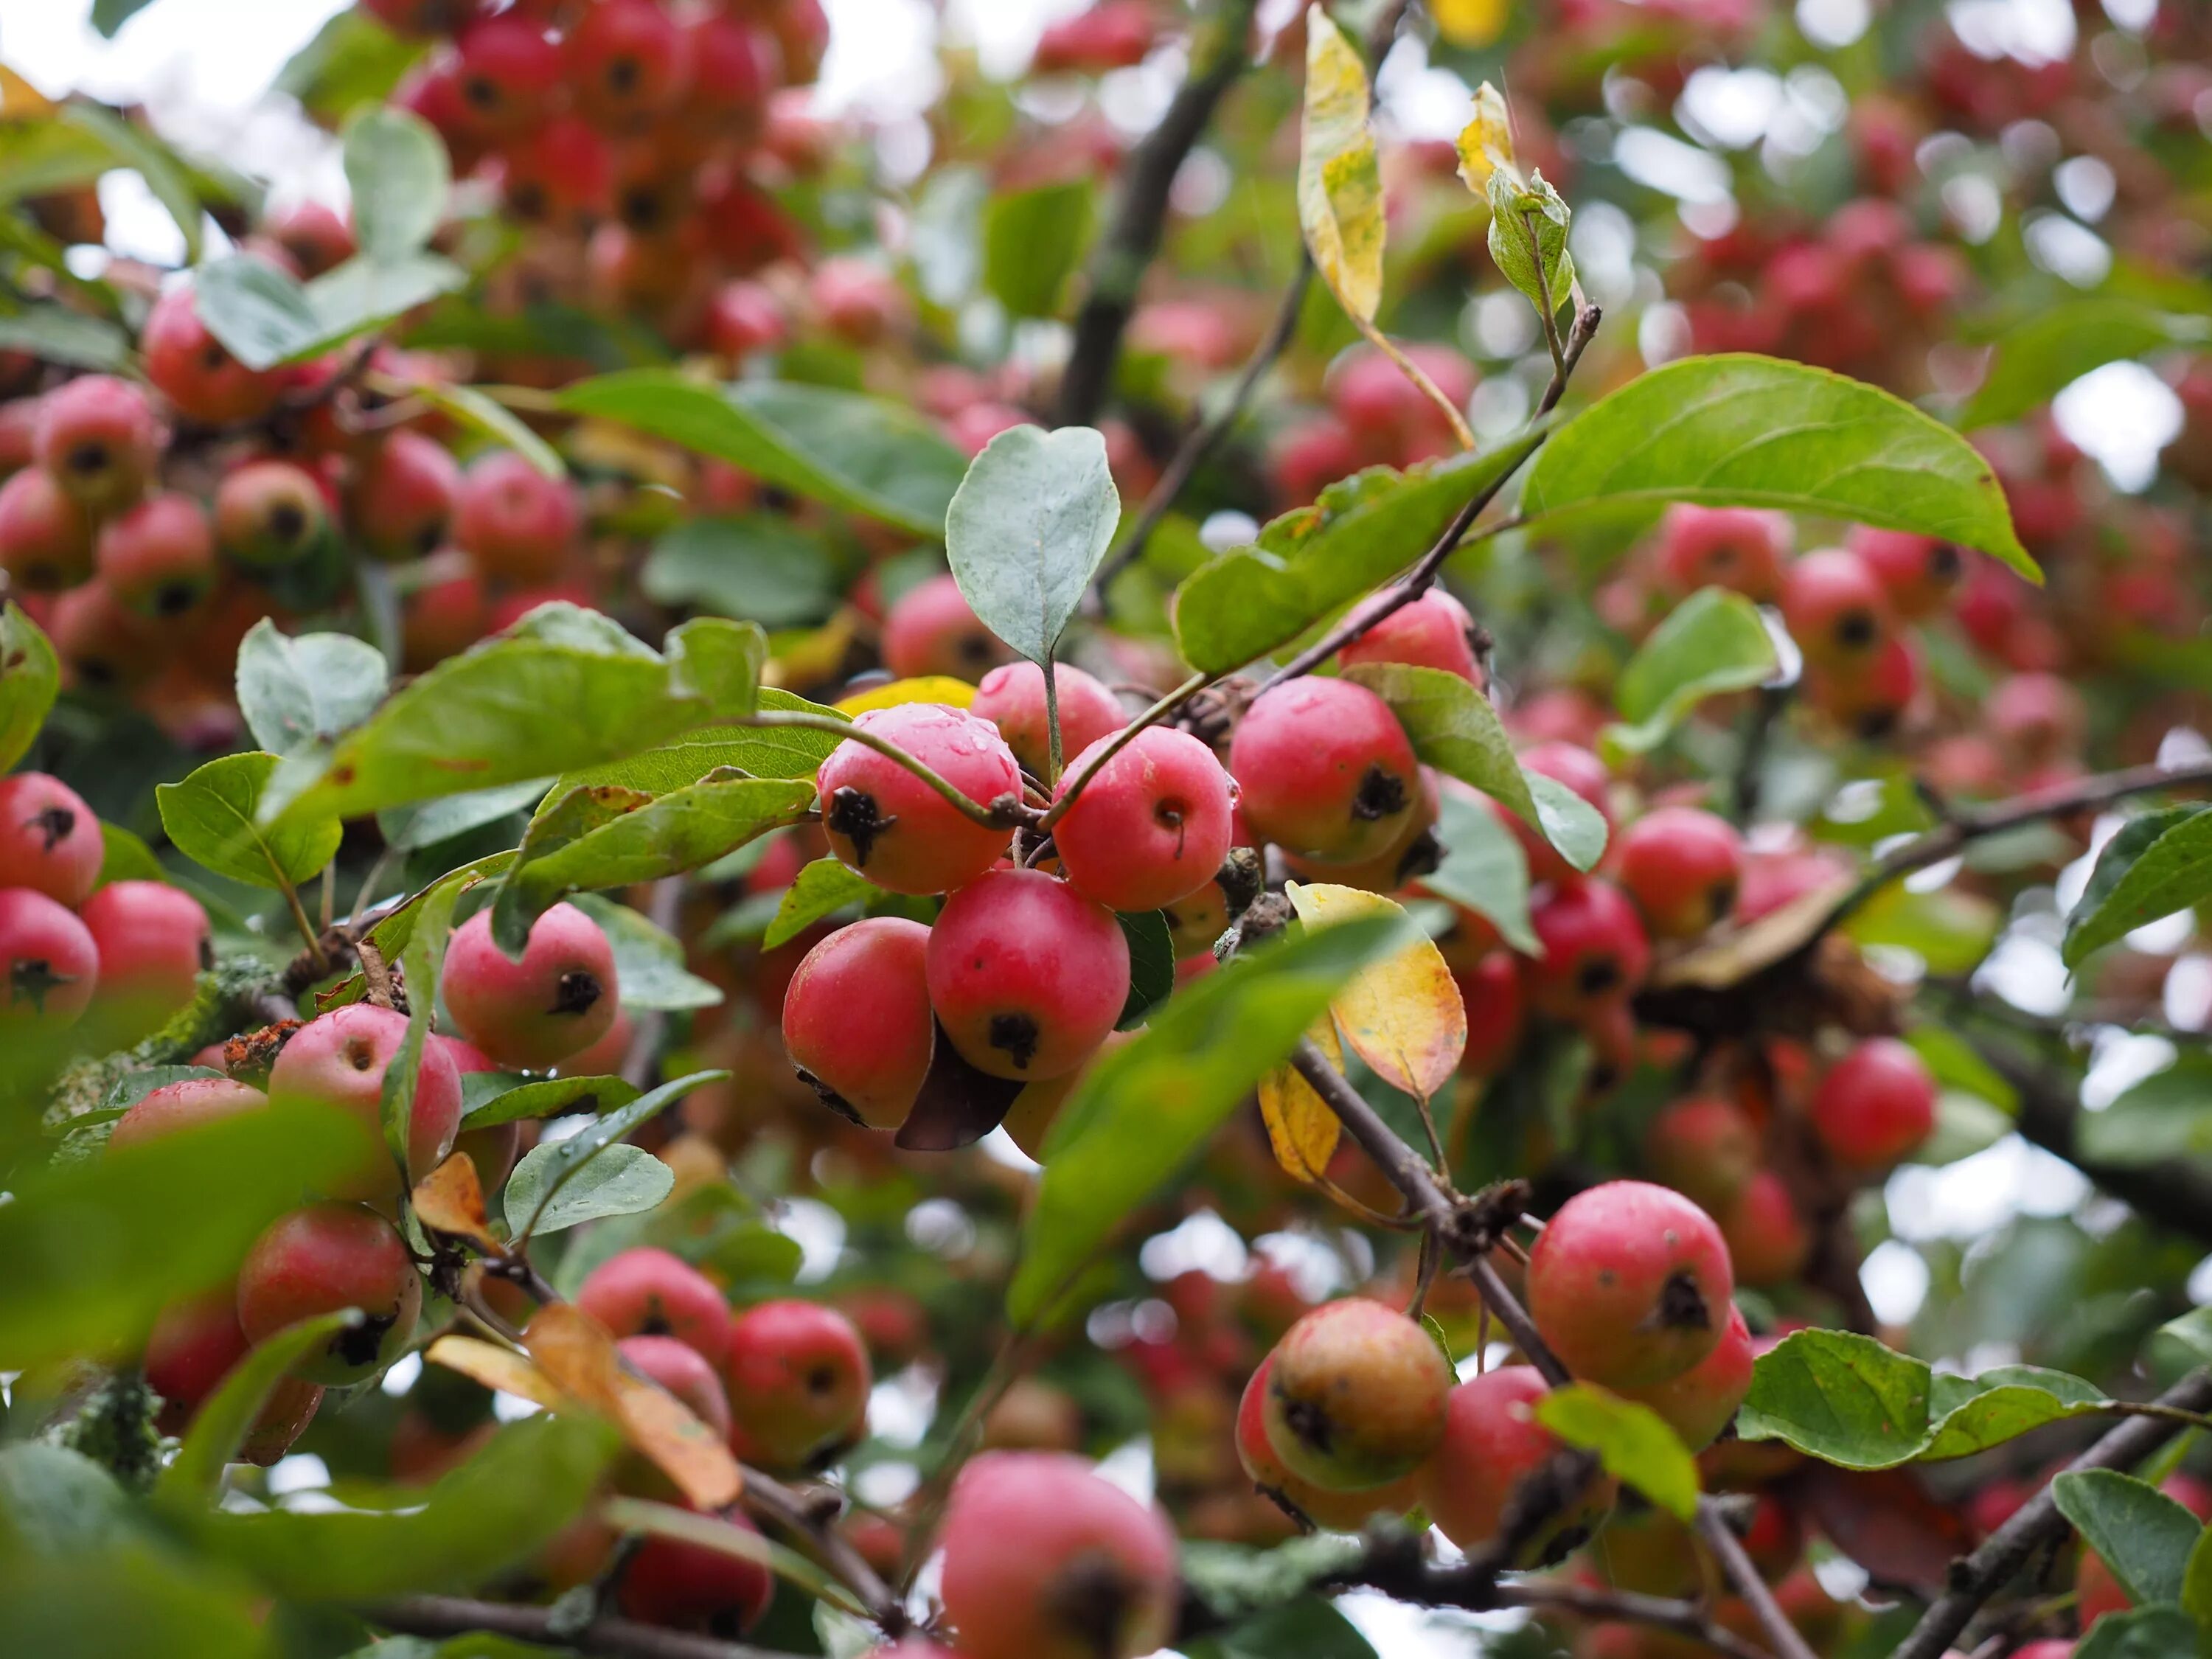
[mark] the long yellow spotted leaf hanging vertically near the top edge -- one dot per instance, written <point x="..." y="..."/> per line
<point x="1339" y="182"/>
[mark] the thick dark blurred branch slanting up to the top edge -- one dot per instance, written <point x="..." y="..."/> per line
<point x="1118" y="267"/>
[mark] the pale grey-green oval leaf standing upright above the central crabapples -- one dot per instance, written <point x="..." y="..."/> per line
<point x="1027" y="530"/>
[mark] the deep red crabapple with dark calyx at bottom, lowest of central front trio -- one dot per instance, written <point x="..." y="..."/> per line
<point x="1025" y="974"/>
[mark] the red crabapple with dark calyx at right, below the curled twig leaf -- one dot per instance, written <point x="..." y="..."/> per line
<point x="1326" y="771"/>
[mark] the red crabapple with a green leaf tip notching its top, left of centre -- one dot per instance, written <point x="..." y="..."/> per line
<point x="536" y="1012"/>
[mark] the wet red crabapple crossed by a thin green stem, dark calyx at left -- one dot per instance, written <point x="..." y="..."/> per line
<point x="895" y="828"/>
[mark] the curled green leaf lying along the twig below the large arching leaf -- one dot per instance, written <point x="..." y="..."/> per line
<point x="1319" y="559"/>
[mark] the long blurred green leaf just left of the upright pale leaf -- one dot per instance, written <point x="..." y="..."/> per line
<point x="842" y="448"/>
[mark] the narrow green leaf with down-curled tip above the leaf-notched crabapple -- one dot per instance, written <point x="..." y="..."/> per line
<point x="669" y="835"/>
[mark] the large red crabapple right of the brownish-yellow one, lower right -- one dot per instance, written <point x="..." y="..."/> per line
<point x="1629" y="1284"/>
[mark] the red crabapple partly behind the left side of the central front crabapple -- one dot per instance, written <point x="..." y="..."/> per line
<point x="857" y="1019"/>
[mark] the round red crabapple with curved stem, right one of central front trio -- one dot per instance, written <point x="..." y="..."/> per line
<point x="1151" y="824"/>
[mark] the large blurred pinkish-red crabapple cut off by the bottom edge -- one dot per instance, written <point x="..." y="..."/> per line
<point x="1047" y="1561"/>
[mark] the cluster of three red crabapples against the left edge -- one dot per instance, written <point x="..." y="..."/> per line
<point x="121" y="954"/>
